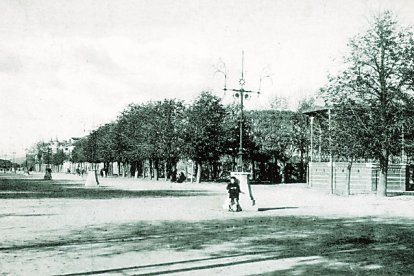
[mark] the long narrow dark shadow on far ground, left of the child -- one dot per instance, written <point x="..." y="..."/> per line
<point x="36" y="188"/>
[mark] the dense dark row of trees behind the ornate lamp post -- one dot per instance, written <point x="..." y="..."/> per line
<point x="162" y="132"/>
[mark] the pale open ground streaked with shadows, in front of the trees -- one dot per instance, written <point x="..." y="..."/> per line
<point x="143" y="227"/>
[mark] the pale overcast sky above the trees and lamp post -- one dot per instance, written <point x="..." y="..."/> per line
<point x="68" y="66"/>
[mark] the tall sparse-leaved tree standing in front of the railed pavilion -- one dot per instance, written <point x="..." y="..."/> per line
<point x="378" y="77"/>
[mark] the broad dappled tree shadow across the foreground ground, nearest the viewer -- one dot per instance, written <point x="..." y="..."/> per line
<point x="337" y="246"/>
